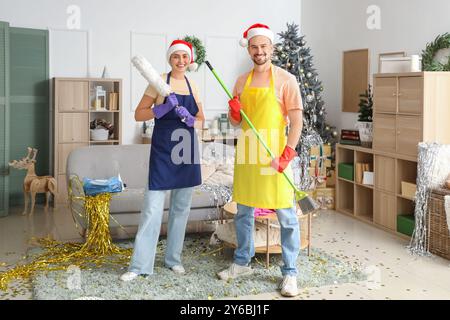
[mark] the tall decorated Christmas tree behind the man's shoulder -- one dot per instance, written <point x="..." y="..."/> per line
<point x="292" y="55"/>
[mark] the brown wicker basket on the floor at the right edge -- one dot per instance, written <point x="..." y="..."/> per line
<point x="439" y="235"/>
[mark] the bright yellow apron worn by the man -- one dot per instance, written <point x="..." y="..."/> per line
<point x="255" y="183"/>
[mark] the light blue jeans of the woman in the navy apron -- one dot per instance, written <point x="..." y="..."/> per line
<point x="143" y="259"/>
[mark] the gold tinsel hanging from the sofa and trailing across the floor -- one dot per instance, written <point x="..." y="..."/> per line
<point x="96" y="251"/>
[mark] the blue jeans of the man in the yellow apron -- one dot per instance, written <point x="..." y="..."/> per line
<point x="244" y="222"/>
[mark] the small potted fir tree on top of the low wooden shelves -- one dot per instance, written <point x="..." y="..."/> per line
<point x="365" y="125"/>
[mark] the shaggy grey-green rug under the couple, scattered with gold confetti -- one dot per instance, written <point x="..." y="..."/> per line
<point x="201" y="262"/>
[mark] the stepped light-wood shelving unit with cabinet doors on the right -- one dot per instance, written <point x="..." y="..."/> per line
<point x="400" y="123"/>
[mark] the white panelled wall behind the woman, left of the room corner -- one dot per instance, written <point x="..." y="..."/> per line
<point x="108" y="27"/>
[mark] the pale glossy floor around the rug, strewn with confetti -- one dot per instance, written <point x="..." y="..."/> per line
<point x="393" y="272"/>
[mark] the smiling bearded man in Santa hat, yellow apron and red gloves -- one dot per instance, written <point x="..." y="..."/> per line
<point x="270" y="97"/>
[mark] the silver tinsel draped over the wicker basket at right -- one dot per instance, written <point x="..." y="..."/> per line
<point x="433" y="168"/>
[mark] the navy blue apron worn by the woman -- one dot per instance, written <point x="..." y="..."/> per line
<point x="163" y="173"/>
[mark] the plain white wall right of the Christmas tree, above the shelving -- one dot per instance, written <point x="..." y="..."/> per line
<point x="333" y="26"/>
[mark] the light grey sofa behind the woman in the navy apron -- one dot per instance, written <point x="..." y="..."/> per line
<point x="131" y="162"/>
